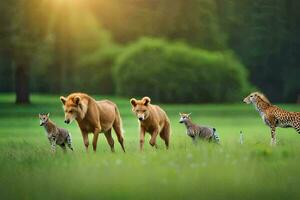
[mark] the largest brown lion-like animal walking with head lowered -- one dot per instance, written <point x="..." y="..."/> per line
<point x="93" y="117"/>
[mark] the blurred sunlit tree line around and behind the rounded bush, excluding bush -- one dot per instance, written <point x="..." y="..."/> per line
<point x="60" y="46"/>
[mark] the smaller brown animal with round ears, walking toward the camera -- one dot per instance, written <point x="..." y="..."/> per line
<point x="152" y="119"/>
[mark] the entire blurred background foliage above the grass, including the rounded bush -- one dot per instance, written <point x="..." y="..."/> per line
<point x="171" y="50"/>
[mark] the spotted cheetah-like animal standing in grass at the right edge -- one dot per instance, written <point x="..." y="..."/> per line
<point x="272" y="115"/>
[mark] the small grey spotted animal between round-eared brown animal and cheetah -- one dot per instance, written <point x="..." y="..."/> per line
<point x="197" y="131"/>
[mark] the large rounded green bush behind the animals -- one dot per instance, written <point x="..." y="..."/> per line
<point x="177" y="73"/>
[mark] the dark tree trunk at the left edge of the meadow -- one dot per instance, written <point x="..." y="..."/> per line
<point x="22" y="83"/>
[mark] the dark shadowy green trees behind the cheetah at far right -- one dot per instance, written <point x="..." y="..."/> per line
<point x="266" y="37"/>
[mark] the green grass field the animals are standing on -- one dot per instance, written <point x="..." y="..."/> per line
<point x="254" y="170"/>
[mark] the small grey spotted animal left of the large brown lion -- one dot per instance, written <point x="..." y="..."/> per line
<point x="56" y="136"/>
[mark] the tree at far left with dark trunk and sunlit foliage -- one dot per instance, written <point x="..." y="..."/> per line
<point x="21" y="35"/>
